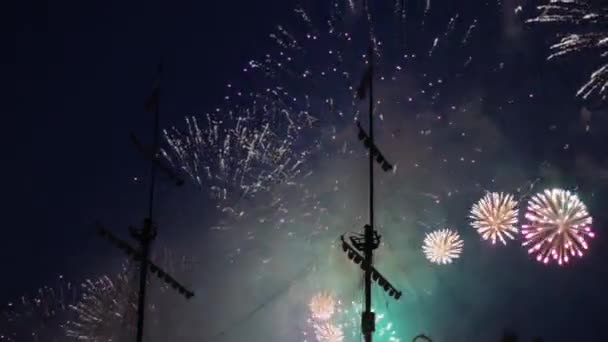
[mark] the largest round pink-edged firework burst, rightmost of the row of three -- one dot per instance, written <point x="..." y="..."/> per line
<point x="557" y="225"/>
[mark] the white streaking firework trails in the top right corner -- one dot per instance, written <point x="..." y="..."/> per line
<point x="585" y="27"/>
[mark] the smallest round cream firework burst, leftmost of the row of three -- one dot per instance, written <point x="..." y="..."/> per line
<point x="442" y="246"/>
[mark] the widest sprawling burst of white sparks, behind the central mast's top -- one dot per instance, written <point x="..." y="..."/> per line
<point x="268" y="141"/>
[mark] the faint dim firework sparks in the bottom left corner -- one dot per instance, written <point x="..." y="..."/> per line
<point x="39" y="318"/>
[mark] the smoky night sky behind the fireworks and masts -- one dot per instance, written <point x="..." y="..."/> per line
<point x="82" y="72"/>
